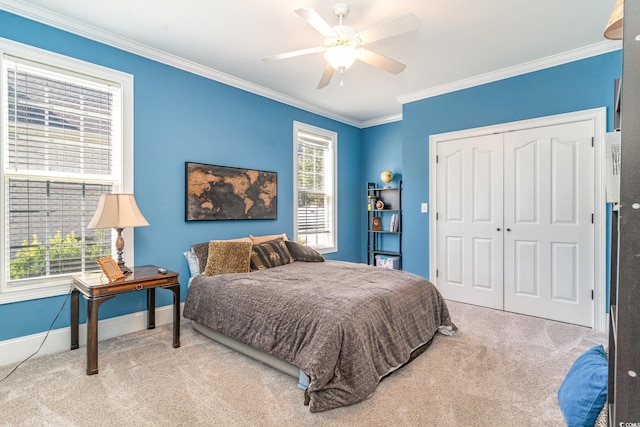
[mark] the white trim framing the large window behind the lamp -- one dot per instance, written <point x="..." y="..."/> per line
<point x="43" y="288"/>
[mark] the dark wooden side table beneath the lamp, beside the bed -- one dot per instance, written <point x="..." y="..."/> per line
<point x="96" y="289"/>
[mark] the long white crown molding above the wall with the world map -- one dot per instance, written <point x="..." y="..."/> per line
<point x="73" y="26"/>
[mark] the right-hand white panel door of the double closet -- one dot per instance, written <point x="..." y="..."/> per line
<point x="548" y="214"/>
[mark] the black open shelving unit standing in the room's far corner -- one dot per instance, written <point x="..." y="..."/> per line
<point x="386" y="241"/>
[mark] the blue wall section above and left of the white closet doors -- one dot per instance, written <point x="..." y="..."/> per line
<point x="575" y="86"/>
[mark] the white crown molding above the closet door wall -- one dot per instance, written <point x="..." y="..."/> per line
<point x="524" y="68"/>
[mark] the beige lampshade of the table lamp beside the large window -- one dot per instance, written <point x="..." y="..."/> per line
<point x="117" y="211"/>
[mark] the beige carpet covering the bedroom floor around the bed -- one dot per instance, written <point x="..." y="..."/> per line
<point x="500" y="369"/>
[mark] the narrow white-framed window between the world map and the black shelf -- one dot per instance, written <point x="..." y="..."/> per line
<point x="315" y="183"/>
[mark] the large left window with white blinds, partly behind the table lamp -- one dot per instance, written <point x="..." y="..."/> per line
<point x="62" y="147"/>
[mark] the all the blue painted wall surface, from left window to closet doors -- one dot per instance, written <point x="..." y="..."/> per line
<point x="184" y="117"/>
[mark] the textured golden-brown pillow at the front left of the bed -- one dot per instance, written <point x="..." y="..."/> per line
<point x="228" y="257"/>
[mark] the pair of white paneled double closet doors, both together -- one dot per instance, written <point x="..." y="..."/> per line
<point x="514" y="221"/>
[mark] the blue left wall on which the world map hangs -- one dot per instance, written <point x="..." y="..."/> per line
<point x="181" y="117"/>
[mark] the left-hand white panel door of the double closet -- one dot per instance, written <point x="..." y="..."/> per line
<point x="469" y="200"/>
